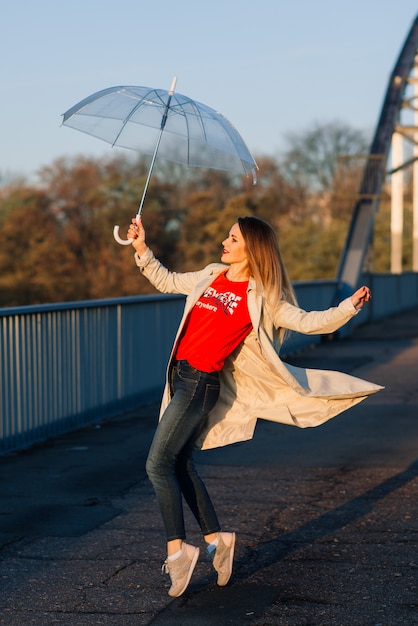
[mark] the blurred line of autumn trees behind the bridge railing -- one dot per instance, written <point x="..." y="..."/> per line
<point x="56" y="240"/>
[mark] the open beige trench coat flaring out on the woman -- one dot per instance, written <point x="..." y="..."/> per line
<point x="255" y="382"/>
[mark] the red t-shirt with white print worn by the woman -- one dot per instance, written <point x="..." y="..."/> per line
<point x="216" y="325"/>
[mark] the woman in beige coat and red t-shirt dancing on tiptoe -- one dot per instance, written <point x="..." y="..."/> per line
<point x="225" y="372"/>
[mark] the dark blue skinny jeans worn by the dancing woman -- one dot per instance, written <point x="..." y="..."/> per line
<point x="170" y="465"/>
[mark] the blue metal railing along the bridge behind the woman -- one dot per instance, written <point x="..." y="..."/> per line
<point x="65" y="365"/>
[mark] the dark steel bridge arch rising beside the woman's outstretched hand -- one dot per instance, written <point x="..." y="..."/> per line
<point x="361" y="227"/>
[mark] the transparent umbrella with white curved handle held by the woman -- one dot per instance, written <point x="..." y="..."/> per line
<point x="156" y="121"/>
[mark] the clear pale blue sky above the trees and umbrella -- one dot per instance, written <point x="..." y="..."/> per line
<point x="270" y="66"/>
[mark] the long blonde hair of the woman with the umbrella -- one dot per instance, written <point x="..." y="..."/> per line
<point x="265" y="261"/>
